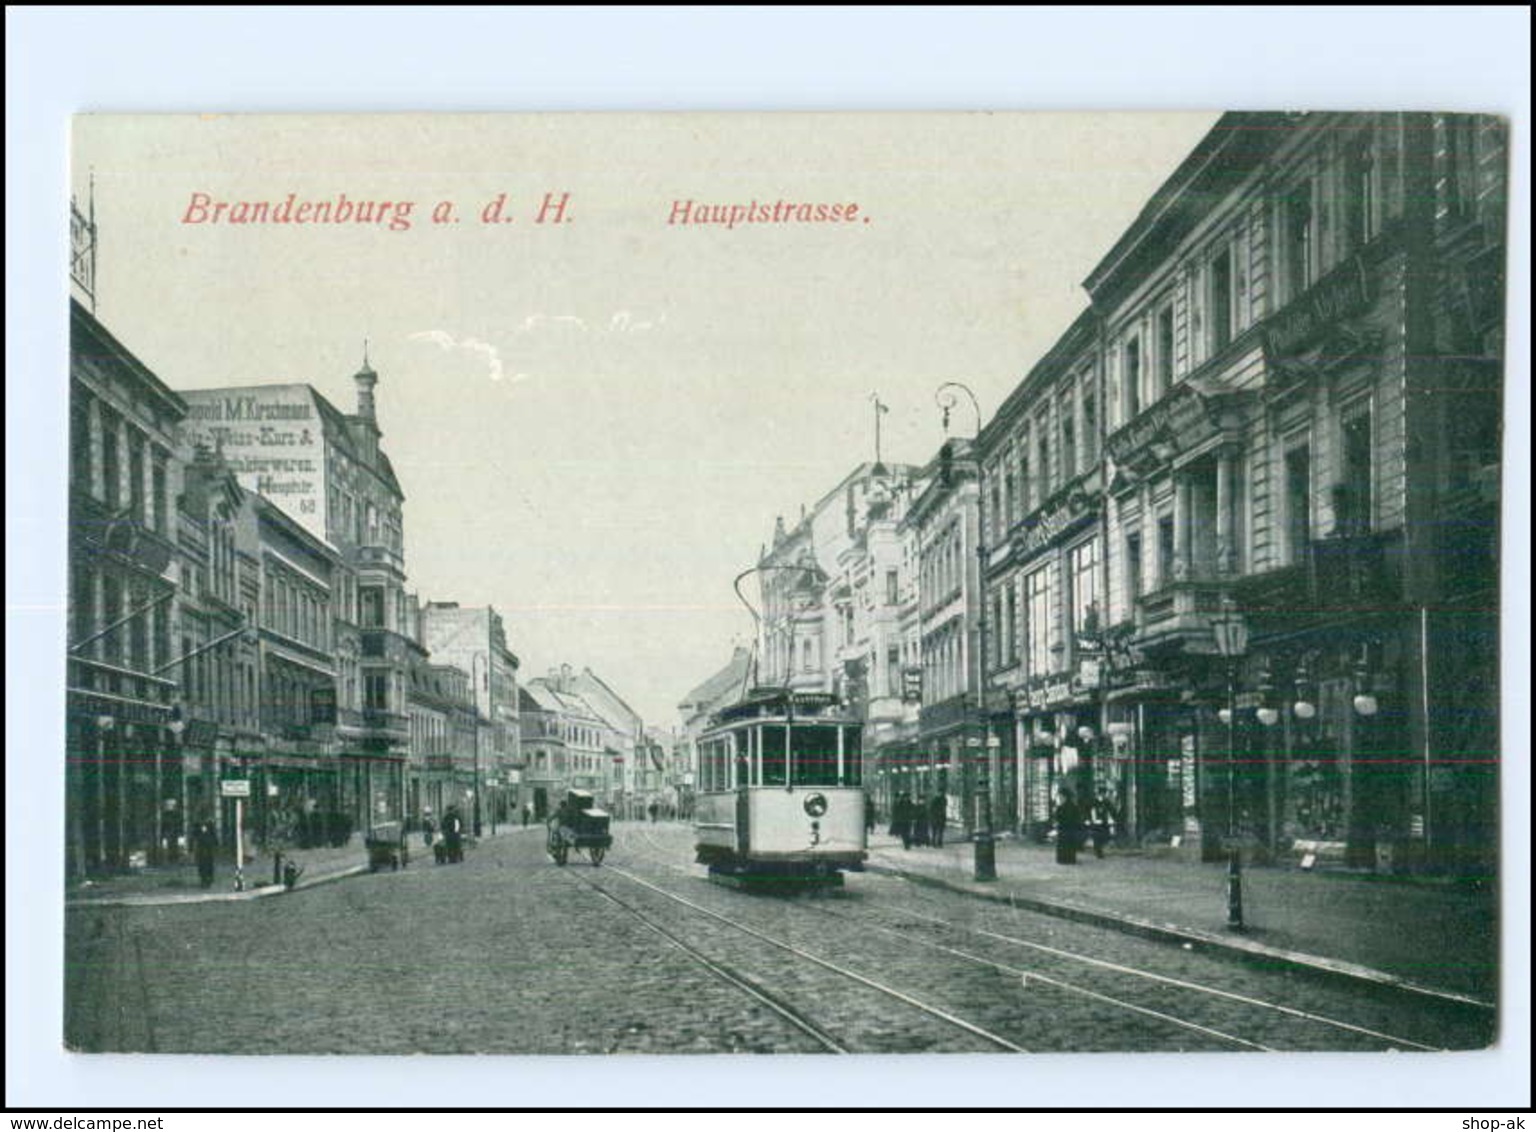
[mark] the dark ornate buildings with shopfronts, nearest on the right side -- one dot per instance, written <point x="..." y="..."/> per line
<point x="1242" y="518"/>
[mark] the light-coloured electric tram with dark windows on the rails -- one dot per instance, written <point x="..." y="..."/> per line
<point x="780" y="790"/>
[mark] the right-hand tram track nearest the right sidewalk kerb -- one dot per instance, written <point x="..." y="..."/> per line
<point x="1202" y="1008"/>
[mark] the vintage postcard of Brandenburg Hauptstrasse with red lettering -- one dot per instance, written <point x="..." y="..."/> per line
<point x="784" y="583"/>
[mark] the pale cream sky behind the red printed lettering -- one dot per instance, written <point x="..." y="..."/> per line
<point x="598" y="420"/>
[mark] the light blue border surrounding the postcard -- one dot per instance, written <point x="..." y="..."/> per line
<point x="67" y="61"/>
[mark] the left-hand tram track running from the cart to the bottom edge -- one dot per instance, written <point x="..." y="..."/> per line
<point x="799" y="1018"/>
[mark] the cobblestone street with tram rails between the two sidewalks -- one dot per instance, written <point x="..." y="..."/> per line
<point x="509" y="955"/>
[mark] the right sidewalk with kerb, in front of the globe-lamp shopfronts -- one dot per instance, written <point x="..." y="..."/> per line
<point x="1386" y="930"/>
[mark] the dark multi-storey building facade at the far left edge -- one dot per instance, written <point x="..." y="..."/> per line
<point x="122" y="735"/>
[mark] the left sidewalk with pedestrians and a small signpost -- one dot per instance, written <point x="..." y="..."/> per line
<point x="179" y="884"/>
